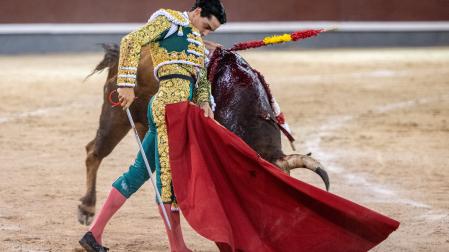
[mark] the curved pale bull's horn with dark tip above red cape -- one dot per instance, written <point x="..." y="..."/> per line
<point x="293" y="161"/>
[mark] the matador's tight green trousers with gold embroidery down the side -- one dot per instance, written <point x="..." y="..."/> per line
<point x="155" y="142"/>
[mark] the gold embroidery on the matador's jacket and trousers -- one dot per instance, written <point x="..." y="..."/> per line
<point x="170" y="91"/>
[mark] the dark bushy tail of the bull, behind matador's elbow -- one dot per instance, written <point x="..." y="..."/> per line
<point x="110" y="60"/>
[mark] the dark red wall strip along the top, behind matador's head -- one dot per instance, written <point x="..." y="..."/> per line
<point x="107" y="11"/>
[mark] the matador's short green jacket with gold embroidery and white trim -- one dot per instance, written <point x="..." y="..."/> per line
<point x="176" y="48"/>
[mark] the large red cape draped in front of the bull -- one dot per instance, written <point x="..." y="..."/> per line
<point x="232" y="196"/>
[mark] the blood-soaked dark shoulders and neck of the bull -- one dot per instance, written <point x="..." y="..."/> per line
<point x="243" y="103"/>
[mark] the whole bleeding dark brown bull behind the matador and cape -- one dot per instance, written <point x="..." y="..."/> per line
<point x="242" y="105"/>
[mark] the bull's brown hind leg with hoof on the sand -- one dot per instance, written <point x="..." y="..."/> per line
<point x="113" y="127"/>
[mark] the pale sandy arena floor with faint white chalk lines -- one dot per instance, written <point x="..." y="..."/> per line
<point x="378" y="119"/>
